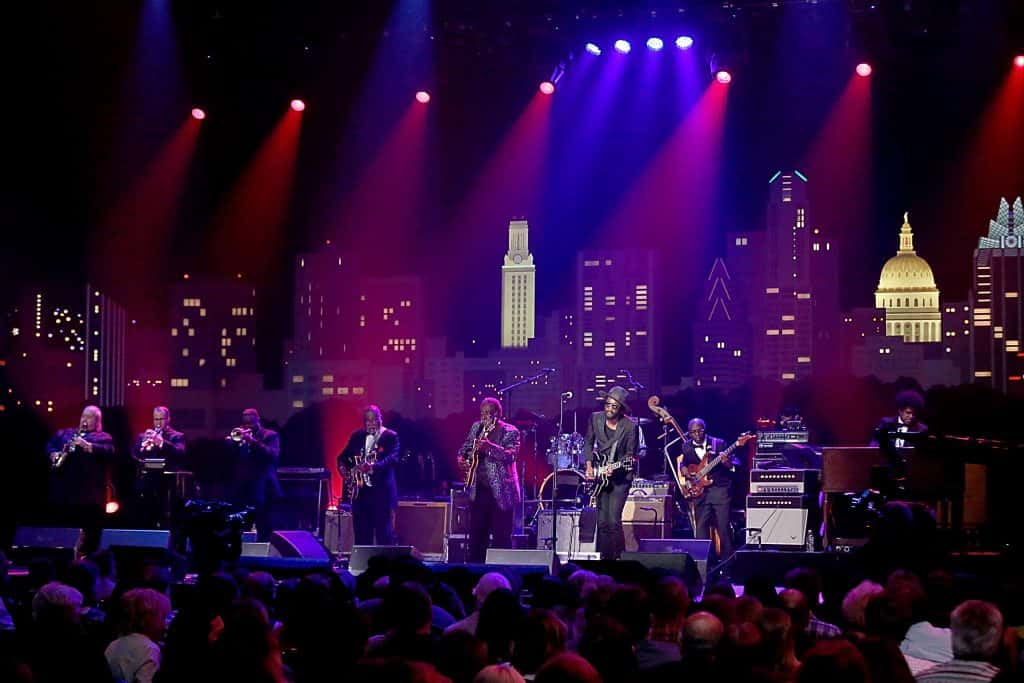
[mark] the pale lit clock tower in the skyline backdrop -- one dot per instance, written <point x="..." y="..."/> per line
<point x="519" y="288"/>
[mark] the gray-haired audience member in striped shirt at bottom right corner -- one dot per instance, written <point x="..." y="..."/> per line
<point x="977" y="632"/>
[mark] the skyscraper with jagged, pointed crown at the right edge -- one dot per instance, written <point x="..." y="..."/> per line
<point x="996" y="297"/>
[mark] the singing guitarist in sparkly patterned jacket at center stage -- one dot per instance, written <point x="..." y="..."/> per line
<point x="494" y="488"/>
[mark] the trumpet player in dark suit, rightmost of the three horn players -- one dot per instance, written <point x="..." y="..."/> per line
<point x="257" y="453"/>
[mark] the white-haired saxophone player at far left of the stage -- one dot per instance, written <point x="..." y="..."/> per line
<point x="78" y="487"/>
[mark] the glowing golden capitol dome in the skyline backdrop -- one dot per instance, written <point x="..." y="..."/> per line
<point x="908" y="293"/>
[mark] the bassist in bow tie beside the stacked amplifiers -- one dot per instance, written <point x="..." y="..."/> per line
<point x="712" y="509"/>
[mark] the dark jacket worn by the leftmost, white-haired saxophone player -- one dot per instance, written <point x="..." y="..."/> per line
<point x="82" y="478"/>
